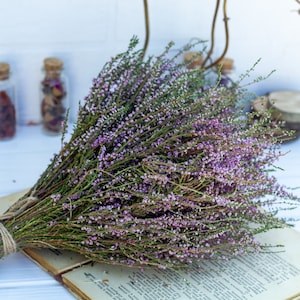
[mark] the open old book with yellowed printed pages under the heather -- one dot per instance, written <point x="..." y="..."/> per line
<point x="259" y="276"/>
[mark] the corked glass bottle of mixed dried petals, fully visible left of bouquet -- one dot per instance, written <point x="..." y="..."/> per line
<point x="53" y="87"/>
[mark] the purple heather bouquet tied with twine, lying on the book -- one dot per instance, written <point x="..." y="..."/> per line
<point x="159" y="171"/>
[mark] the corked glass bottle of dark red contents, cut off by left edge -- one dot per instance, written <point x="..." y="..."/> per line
<point x="8" y="118"/>
